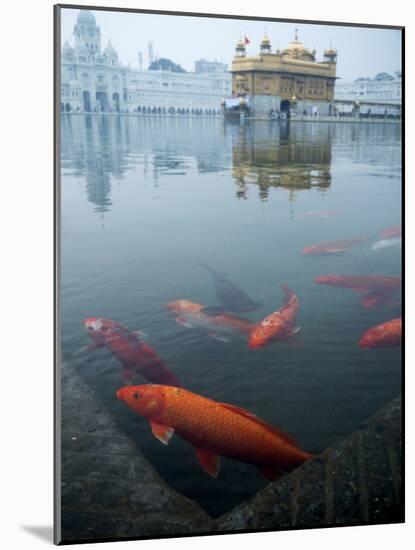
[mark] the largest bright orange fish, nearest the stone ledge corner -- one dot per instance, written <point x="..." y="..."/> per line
<point x="214" y="429"/>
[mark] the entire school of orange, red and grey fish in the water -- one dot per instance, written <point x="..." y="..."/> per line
<point x="220" y="429"/>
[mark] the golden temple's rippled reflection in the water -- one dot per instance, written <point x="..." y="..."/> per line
<point x="293" y="157"/>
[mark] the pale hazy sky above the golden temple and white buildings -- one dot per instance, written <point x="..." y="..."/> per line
<point x="361" y="51"/>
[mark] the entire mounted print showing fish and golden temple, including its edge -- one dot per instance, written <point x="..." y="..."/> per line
<point x="228" y="329"/>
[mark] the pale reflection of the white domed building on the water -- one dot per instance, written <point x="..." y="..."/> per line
<point x="102" y="148"/>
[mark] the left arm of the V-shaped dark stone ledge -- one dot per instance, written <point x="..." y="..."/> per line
<point x="109" y="490"/>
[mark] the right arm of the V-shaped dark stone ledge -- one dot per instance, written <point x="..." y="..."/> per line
<point x="356" y="482"/>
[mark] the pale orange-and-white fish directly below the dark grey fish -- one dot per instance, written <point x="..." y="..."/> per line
<point x="221" y="327"/>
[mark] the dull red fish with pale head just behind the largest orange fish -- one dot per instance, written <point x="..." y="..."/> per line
<point x="135" y="356"/>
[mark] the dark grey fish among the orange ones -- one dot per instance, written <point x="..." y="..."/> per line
<point x="230" y="296"/>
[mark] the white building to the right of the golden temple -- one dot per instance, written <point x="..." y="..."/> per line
<point x="383" y="88"/>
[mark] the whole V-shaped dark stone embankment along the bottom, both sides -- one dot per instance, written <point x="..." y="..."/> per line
<point x="110" y="491"/>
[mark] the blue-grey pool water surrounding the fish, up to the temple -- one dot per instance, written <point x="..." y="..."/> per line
<point x="145" y="199"/>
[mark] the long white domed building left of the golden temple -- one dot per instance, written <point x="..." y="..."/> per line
<point x="93" y="80"/>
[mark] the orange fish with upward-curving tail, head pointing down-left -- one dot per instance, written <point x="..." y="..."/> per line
<point x="277" y="326"/>
